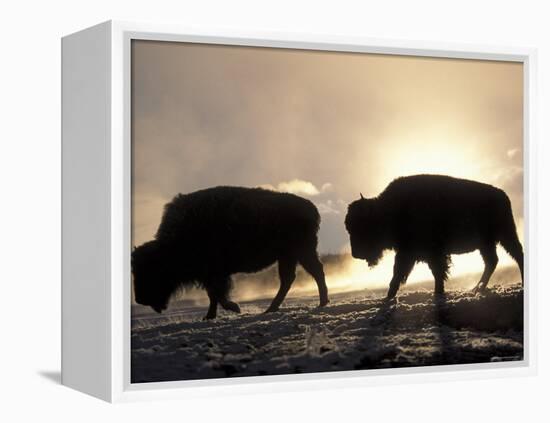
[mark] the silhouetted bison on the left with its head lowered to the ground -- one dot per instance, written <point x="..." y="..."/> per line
<point x="206" y="236"/>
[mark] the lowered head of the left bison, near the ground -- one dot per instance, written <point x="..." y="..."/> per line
<point x="152" y="283"/>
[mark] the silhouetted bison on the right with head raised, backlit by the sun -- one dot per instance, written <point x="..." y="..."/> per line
<point x="429" y="217"/>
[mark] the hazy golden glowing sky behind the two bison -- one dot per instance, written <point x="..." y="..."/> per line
<point x="323" y="125"/>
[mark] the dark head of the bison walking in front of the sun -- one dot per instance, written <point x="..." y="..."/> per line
<point x="366" y="228"/>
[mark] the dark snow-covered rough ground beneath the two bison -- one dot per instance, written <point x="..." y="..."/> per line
<point x="357" y="330"/>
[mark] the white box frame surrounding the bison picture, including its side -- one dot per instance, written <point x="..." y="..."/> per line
<point x="96" y="188"/>
